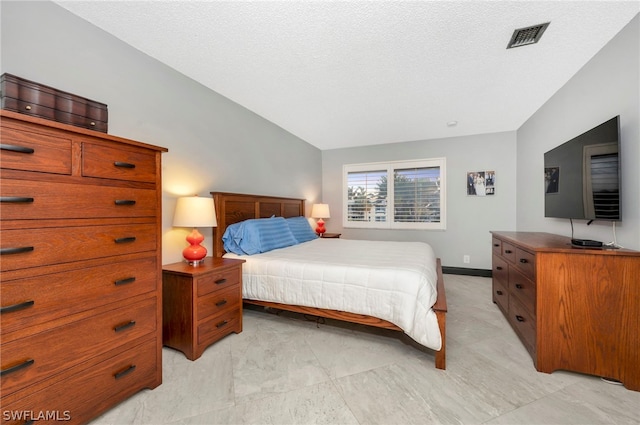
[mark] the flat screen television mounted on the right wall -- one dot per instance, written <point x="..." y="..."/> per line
<point x="582" y="176"/>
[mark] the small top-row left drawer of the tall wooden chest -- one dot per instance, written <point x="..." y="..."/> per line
<point x="30" y="151"/>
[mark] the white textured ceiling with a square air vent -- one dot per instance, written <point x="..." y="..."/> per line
<point x="352" y="73"/>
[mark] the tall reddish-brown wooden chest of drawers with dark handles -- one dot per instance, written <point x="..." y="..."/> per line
<point x="81" y="295"/>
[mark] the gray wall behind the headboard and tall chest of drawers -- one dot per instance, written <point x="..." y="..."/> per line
<point x="214" y="144"/>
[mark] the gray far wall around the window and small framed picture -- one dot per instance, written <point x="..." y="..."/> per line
<point x="469" y="218"/>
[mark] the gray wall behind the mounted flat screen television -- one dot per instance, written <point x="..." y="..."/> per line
<point x="606" y="86"/>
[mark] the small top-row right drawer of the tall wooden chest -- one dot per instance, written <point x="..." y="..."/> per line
<point x="134" y="164"/>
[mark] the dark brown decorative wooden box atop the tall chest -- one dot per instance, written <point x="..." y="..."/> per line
<point x="38" y="100"/>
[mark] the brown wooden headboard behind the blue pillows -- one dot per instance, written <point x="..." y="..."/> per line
<point x="235" y="207"/>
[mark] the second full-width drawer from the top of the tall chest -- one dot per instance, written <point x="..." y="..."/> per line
<point x="37" y="247"/>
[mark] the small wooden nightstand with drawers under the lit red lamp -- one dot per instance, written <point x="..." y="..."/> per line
<point x="201" y="304"/>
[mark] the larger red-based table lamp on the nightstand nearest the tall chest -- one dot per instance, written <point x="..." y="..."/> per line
<point x="193" y="211"/>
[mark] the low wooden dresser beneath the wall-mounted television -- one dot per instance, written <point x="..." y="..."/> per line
<point x="574" y="309"/>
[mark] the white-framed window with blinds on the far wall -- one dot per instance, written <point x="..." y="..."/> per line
<point x="395" y="195"/>
